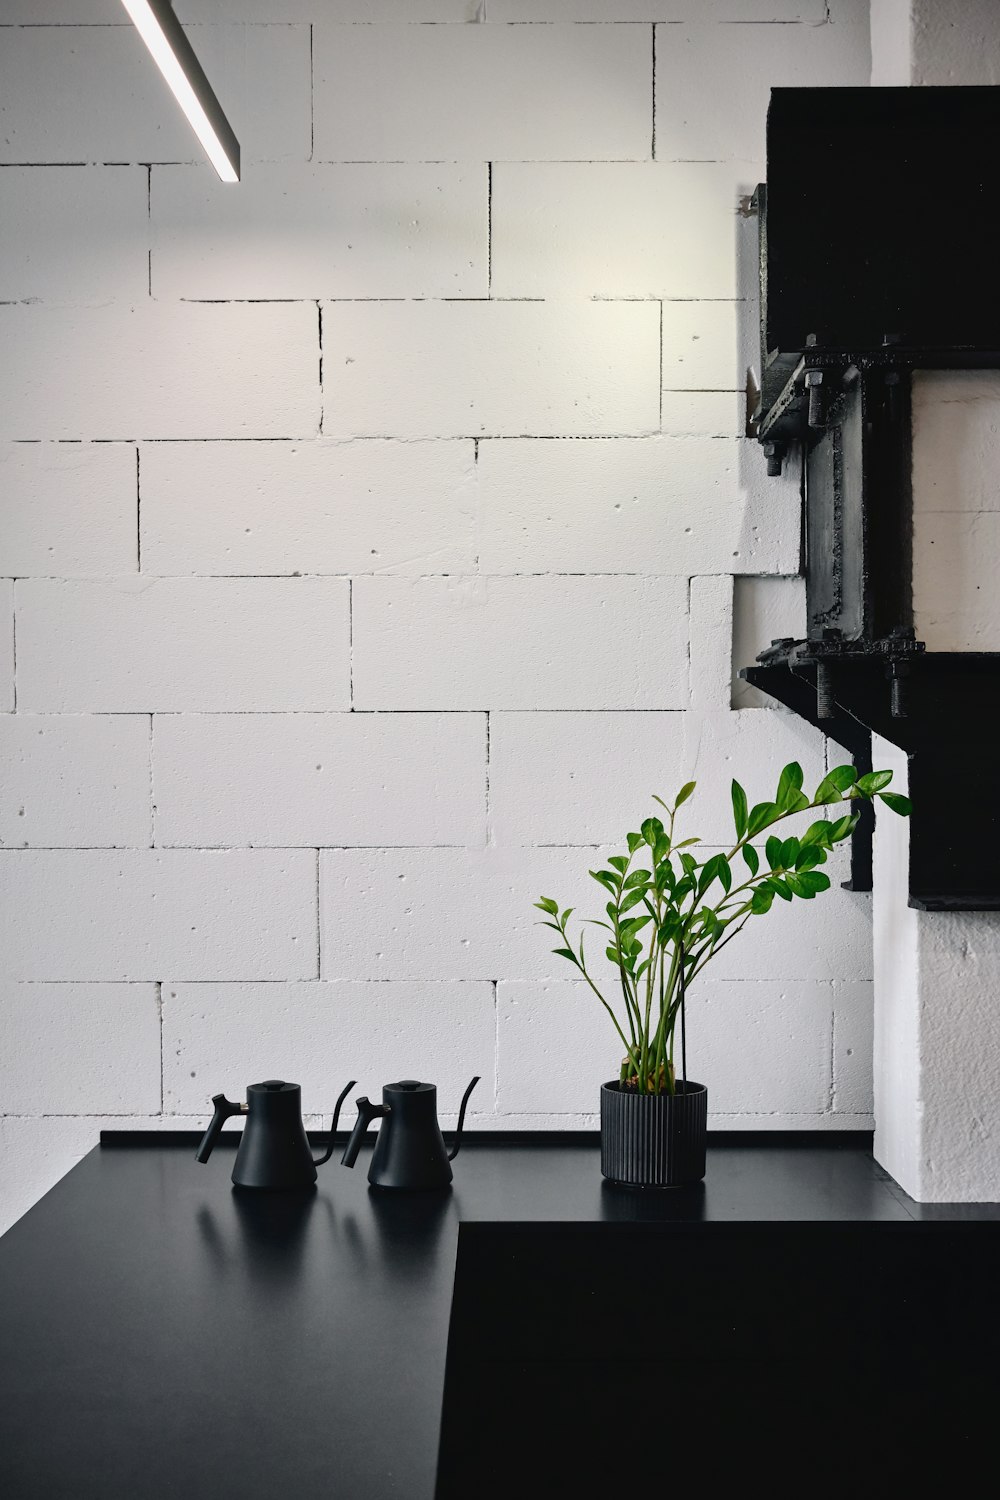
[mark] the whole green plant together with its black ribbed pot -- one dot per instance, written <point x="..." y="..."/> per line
<point x="672" y="913"/>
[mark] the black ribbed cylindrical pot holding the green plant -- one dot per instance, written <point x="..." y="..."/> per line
<point x="654" y="1141"/>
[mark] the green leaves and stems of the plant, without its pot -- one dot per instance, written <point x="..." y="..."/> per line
<point x="671" y="914"/>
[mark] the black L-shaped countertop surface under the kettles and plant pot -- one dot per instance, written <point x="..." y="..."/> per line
<point x="164" y="1336"/>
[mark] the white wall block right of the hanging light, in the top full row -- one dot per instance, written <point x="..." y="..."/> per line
<point x="484" y="94"/>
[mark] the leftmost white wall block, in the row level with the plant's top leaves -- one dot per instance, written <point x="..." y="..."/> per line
<point x="74" y="782"/>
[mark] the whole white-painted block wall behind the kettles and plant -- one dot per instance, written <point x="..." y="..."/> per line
<point x="368" y="551"/>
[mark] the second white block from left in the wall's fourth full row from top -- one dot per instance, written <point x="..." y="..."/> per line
<point x="308" y="508"/>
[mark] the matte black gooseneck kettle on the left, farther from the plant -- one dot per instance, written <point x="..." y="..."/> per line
<point x="274" y="1151"/>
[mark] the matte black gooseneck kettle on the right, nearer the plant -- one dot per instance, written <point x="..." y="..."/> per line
<point x="410" y="1150"/>
